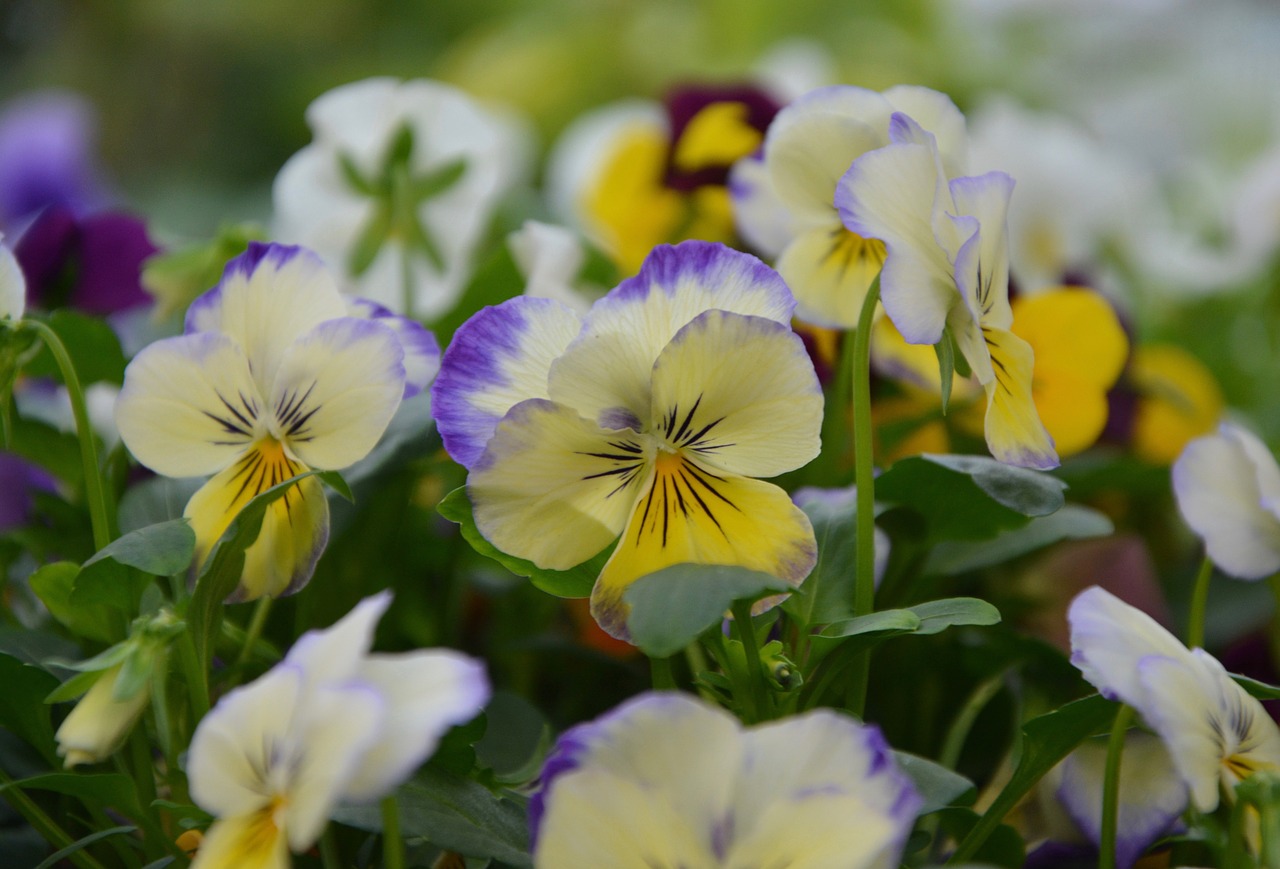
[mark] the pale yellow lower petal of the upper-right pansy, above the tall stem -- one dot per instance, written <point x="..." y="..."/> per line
<point x="830" y="269"/>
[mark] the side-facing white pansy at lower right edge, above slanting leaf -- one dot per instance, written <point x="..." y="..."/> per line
<point x="1215" y="733"/>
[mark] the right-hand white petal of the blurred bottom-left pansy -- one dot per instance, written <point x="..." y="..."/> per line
<point x="426" y="694"/>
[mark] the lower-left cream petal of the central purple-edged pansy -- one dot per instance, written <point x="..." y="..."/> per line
<point x="555" y="488"/>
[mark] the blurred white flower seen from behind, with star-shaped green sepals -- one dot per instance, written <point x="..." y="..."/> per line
<point x="397" y="189"/>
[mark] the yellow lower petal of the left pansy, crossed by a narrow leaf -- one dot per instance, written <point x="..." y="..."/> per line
<point x="295" y="529"/>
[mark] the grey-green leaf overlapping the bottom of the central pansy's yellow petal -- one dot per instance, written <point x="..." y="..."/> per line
<point x="671" y="607"/>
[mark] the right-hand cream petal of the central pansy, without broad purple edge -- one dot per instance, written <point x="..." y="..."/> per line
<point x="740" y="394"/>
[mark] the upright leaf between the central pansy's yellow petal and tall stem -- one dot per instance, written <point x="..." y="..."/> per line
<point x="828" y="593"/>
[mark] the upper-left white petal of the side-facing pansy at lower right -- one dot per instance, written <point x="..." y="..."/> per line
<point x="1109" y="638"/>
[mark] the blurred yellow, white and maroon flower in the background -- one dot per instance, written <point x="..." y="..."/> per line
<point x="637" y="175"/>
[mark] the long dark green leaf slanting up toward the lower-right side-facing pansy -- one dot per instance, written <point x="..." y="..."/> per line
<point x="1046" y="740"/>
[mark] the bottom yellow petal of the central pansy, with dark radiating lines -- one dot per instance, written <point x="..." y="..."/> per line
<point x="696" y="515"/>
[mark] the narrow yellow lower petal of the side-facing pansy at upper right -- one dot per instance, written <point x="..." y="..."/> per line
<point x="1014" y="432"/>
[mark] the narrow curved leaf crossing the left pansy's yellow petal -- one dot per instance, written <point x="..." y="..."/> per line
<point x="223" y="569"/>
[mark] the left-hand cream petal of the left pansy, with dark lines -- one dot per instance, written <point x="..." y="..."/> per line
<point x="190" y="405"/>
